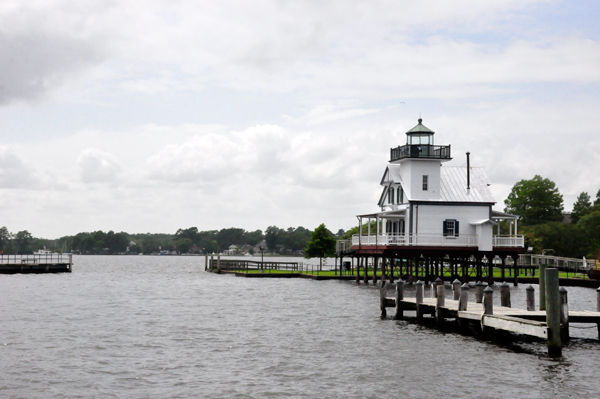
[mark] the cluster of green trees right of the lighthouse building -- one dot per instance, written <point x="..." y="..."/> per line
<point x="546" y="227"/>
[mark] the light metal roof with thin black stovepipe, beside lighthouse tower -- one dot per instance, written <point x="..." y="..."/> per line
<point x="453" y="185"/>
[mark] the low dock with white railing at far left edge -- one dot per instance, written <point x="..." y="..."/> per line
<point x="45" y="263"/>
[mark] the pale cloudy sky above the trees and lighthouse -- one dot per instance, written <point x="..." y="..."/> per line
<point x="150" y="116"/>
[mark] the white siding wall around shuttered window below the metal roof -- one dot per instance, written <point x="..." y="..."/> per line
<point x="431" y="217"/>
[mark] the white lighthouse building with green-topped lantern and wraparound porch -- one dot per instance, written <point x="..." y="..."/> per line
<point x="431" y="211"/>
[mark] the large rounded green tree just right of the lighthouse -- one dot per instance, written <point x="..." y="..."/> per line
<point x="537" y="201"/>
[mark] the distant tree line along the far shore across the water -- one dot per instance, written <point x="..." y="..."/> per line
<point x="292" y="240"/>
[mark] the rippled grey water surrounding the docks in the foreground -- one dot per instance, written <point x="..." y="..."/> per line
<point x="142" y="326"/>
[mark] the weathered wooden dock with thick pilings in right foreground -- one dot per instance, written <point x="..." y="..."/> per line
<point x="550" y="323"/>
